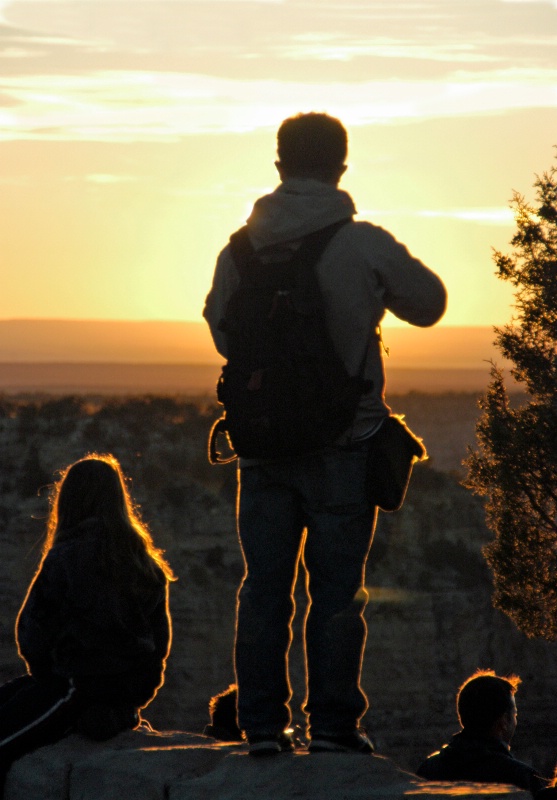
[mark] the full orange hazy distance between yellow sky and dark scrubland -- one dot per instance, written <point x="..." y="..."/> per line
<point x="130" y="358"/>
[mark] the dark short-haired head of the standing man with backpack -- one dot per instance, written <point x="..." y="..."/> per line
<point x="312" y="145"/>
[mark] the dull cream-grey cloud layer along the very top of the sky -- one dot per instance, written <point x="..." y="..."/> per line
<point x="221" y="38"/>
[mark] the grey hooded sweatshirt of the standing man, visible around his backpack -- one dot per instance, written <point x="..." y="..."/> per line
<point x="363" y="272"/>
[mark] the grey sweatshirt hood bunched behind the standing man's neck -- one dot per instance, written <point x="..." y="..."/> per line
<point x="297" y="207"/>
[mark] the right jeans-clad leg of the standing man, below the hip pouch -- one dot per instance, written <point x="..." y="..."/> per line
<point x="340" y="531"/>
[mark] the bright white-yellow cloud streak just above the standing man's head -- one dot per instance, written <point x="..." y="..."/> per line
<point x="121" y="106"/>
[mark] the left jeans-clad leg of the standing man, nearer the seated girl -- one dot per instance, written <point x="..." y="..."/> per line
<point x="270" y="530"/>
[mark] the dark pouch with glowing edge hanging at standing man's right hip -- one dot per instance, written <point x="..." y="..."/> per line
<point x="392" y="453"/>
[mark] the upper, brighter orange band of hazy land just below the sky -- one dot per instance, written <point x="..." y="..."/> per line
<point x="30" y="341"/>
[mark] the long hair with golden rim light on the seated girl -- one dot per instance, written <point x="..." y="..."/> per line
<point x="95" y="487"/>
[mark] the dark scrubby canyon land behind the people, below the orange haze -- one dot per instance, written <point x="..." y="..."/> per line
<point x="430" y="617"/>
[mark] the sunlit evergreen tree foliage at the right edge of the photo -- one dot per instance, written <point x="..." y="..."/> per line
<point x="515" y="464"/>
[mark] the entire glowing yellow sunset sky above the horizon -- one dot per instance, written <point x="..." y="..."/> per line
<point x="135" y="135"/>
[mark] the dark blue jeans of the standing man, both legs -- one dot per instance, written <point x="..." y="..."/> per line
<point x="325" y="493"/>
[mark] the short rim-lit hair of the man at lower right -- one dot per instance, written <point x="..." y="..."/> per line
<point x="483" y="698"/>
